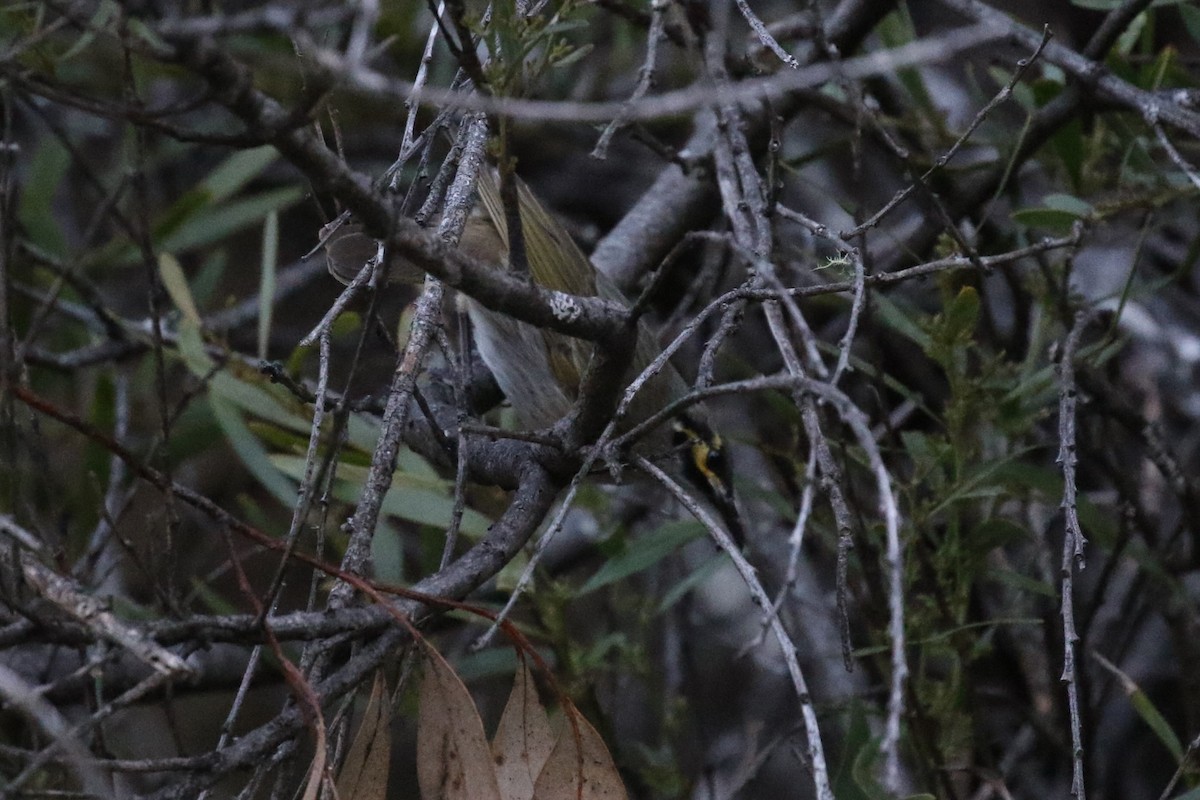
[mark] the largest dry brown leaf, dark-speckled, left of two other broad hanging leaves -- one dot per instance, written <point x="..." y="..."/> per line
<point x="453" y="759"/>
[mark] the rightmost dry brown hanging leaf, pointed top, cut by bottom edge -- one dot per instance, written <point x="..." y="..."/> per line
<point x="581" y="767"/>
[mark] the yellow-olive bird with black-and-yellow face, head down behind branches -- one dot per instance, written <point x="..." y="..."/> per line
<point x="539" y="370"/>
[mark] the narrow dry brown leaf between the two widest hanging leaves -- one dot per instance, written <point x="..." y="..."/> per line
<point x="524" y="739"/>
